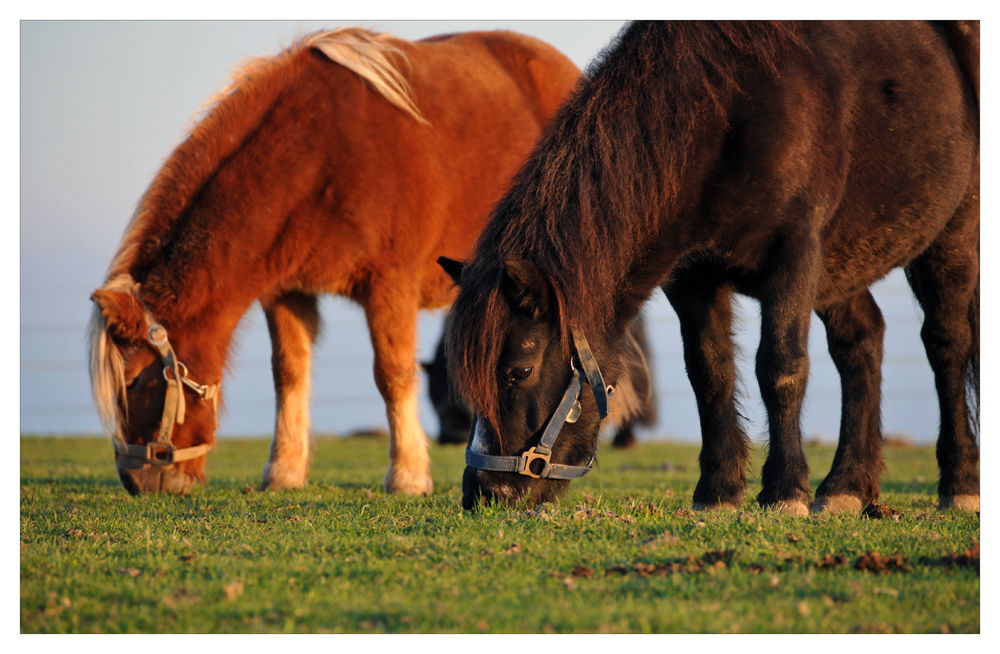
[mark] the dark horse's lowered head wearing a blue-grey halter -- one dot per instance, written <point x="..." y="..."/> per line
<point x="540" y="407"/>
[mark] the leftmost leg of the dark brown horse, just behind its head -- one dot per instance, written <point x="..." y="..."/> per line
<point x="705" y="313"/>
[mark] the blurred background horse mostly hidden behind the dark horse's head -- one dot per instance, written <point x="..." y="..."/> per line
<point x="638" y="408"/>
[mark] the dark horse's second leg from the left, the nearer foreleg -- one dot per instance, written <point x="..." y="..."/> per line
<point x="786" y="297"/>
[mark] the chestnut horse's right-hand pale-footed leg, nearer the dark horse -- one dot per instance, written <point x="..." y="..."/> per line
<point x="391" y="310"/>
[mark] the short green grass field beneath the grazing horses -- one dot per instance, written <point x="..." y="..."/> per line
<point x="621" y="553"/>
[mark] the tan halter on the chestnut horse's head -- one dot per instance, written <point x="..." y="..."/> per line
<point x="162" y="452"/>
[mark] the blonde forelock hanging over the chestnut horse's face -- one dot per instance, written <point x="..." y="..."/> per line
<point x="107" y="363"/>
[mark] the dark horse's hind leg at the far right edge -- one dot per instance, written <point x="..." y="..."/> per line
<point x="945" y="280"/>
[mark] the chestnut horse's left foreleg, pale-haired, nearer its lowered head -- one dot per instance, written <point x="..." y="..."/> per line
<point x="293" y="322"/>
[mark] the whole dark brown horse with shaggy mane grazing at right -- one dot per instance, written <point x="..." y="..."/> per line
<point x="795" y="163"/>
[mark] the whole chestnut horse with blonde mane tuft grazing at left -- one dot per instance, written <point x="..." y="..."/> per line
<point x="345" y="165"/>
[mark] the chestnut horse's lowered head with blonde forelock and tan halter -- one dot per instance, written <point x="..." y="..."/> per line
<point x="142" y="372"/>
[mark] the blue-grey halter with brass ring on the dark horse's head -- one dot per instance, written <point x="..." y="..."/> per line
<point x="568" y="411"/>
